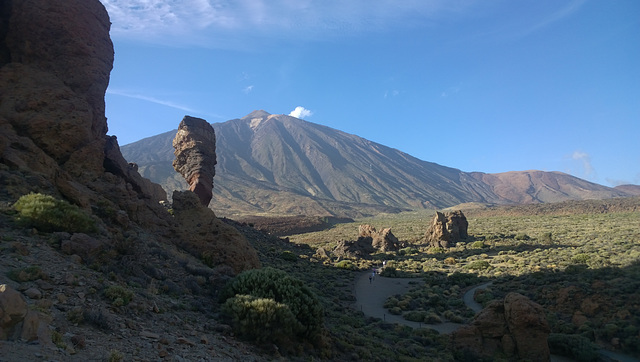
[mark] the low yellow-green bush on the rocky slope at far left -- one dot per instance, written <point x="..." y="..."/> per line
<point x="49" y="214"/>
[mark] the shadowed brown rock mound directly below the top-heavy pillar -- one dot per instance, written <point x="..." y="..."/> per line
<point x="205" y="236"/>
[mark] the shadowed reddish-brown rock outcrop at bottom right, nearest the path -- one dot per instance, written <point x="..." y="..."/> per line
<point x="515" y="327"/>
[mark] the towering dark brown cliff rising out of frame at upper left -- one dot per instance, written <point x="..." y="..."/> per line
<point x="55" y="59"/>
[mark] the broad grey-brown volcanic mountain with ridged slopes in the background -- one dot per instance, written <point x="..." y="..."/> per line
<point x="281" y="165"/>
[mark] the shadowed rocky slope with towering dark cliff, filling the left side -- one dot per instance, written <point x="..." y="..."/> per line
<point x="125" y="284"/>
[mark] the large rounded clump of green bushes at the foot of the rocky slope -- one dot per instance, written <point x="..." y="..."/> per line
<point x="292" y="309"/>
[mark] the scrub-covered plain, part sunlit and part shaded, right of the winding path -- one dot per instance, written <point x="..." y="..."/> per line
<point x="580" y="261"/>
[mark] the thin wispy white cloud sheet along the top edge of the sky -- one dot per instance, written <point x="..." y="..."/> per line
<point x="209" y="20"/>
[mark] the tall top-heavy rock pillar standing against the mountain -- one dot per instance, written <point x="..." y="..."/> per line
<point x="195" y="151"/>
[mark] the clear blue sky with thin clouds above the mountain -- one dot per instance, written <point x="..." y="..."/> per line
<point x="490" y="86"/>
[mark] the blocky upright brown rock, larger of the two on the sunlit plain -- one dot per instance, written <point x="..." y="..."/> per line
<point x="447" y="229"/>
